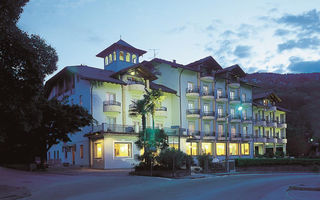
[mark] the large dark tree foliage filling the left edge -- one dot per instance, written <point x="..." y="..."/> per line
<point x="29" y="122"/>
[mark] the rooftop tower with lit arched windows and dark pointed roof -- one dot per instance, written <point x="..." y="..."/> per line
<point x="120" y="55"/>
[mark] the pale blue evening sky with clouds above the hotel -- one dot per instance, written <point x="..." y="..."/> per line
<point x="261" y="36"/>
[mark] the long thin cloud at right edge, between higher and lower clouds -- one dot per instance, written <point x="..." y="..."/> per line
<point x="303" y="43"/>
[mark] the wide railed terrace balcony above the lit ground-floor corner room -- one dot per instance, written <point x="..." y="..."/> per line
<point x="114" y="128"/>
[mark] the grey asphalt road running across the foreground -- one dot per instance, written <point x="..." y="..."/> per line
<point x="90" y="184"/>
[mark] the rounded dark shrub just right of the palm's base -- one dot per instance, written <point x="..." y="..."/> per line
<point x="170" y="157"/>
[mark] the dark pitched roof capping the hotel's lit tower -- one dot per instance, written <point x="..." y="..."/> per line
<point x="120" y="45"/>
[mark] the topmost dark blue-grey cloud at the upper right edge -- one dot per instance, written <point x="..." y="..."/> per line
<point x="308" y="22"/>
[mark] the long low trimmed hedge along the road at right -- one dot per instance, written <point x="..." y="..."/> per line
<point x="245" y="162"/>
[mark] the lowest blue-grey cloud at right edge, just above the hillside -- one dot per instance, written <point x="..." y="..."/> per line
<point x="304" y="66"/>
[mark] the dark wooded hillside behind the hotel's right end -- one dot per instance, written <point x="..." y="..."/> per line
<point x="300" y="93"/>
